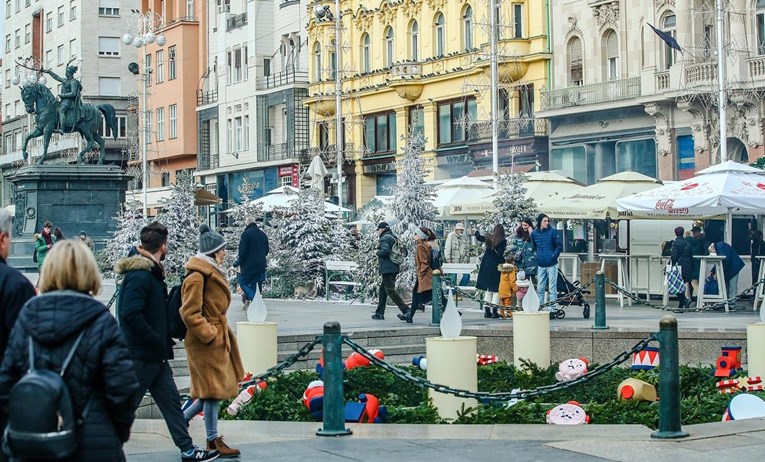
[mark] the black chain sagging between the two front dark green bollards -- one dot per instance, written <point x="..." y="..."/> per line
<point x="500" y="396"/>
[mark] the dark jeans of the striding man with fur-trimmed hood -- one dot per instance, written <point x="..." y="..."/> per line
<point x="157" y="377"/>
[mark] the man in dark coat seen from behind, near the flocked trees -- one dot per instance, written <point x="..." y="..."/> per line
<point x="253" y="249"/>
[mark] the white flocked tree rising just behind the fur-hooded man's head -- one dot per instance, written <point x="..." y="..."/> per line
<point x="181" y="217"/>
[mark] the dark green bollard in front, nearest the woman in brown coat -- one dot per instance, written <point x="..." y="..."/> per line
<point x="334" y="405"/>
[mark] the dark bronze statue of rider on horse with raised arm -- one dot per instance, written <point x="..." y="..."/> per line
<point x="66" y="115"/>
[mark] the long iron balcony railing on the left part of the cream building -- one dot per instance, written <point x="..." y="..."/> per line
<point x="612" y="90"/>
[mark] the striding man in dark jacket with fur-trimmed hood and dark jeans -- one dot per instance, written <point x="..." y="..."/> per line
<point x="143" y="316"/>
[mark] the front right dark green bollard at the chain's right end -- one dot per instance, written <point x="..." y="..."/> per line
<point x="669" y="381"/>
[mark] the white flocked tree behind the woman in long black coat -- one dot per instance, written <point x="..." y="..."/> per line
<point x="510" y="204"/>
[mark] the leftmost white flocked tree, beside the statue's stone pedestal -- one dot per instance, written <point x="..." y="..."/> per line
<point x="128" y="234"/>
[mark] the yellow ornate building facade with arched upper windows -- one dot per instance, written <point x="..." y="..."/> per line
<point x="425" y="65"/>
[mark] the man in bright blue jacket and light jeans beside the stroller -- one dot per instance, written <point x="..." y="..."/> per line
<point x="548" y="248"/>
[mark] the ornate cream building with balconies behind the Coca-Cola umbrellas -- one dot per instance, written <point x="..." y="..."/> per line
<point x="622" y="98"/>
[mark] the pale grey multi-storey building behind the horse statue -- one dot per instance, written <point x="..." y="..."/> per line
<point x="53" y="33"/>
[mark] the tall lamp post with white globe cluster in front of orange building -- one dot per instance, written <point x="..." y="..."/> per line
<point x="142" y="31"/>
